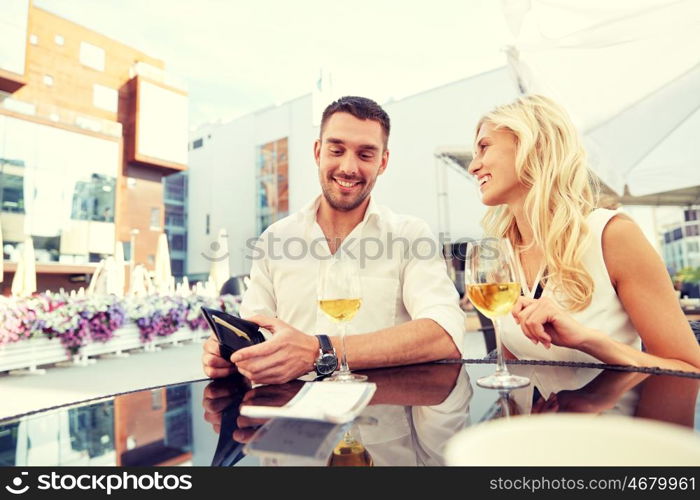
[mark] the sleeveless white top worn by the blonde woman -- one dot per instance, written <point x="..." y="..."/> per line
<point x="605" y="312"/>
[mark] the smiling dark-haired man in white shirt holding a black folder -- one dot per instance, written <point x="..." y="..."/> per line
<point x="409" y="311"/>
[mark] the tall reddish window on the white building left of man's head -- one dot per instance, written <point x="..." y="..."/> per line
<point x="272" y="183"/>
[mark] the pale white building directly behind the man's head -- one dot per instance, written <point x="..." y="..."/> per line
<point x="245" y="174"/>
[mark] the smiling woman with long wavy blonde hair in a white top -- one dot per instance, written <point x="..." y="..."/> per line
<point x="604" y="290"/>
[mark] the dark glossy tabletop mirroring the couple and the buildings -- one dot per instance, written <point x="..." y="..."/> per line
<point x="413" y="414"/>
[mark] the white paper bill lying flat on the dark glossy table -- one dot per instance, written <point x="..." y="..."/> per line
<point x="336" y="402"/>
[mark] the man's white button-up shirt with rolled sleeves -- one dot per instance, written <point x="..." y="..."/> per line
<point x="403" y="276"/>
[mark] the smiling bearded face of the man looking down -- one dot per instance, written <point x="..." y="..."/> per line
<point x="350" y="155"/>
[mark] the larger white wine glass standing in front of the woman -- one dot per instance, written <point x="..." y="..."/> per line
<point x="493" y="288"/>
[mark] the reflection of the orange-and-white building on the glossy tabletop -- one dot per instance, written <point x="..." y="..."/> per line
<point x="152" y="427"/>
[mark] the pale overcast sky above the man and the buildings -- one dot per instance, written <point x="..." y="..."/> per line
<point x="239" y="56"/>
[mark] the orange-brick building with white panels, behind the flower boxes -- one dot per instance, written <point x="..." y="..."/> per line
<point x="89" y="127"/>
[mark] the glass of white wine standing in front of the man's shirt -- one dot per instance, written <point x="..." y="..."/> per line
<point x="339" y="296"/>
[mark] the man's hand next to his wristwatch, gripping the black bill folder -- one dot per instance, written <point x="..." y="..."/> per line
<point x="286" y="356"/>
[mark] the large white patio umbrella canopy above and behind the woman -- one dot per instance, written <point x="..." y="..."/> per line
<point x="629" y="74"/>
